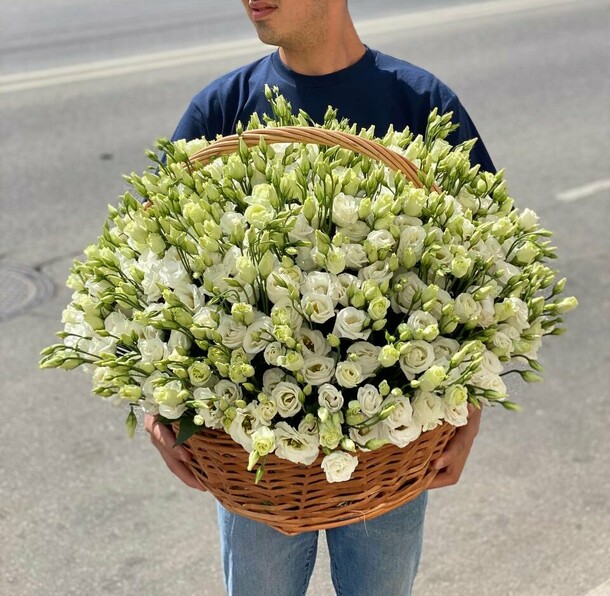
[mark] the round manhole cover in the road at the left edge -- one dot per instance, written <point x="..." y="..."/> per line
<point x="21" y="288"/>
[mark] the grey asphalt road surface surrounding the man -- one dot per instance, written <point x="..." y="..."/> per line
<point x="83" y="510"/>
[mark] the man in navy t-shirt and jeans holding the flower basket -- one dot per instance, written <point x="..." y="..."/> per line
<point x="321" y="61"/>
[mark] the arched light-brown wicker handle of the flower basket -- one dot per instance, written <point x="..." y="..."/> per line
<point x="318" y="136"/>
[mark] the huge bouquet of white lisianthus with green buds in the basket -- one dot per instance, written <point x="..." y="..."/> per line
<point x="310" y="299"/>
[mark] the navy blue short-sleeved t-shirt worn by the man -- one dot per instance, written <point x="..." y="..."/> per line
<point x="377" y="90"/>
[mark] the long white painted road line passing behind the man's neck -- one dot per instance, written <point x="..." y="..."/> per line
<point x="252" y="48"/>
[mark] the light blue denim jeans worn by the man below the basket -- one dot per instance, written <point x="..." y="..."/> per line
<point x="378" y="557"/>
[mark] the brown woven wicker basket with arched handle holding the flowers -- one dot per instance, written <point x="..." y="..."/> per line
<point x="294" y="498"/>
